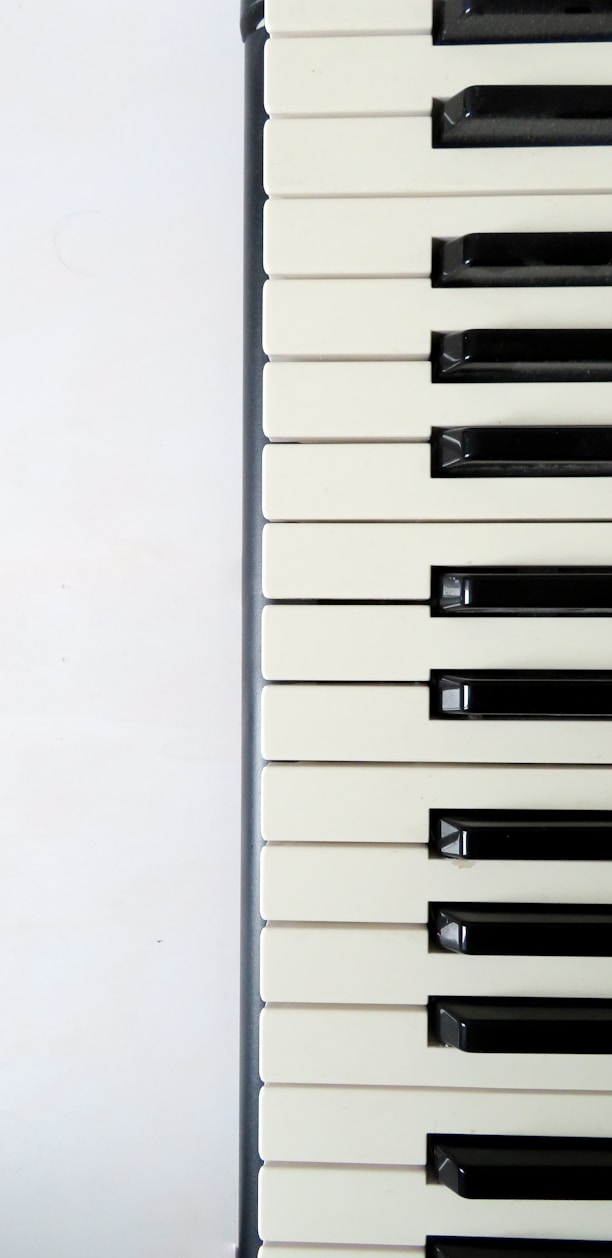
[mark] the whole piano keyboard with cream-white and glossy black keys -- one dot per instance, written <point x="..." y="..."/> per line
<point x="430" y="631"/>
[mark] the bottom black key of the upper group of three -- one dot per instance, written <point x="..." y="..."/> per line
<point x="521" y="452"/>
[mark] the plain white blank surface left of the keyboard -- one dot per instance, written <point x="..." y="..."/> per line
<point x="120" y="435"/>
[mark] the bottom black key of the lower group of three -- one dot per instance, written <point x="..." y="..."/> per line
<point x="489" y="1025"/>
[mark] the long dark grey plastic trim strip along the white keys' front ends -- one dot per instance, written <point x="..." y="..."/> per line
<point x="254" y="442"/>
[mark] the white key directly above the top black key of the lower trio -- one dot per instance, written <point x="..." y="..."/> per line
<point x="391" y="804"/>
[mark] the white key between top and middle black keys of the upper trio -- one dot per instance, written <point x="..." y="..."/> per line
<point x="338" y="319"/>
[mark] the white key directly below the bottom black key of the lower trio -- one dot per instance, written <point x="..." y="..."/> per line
<point x="375" y="1047"/>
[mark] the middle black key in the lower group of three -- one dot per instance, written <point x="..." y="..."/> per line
<point x="522" y="930"/>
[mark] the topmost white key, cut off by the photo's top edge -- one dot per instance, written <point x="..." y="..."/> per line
<point x="348" y="17"/>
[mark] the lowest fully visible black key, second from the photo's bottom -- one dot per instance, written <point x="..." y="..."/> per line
<point x="523" y="1168"/>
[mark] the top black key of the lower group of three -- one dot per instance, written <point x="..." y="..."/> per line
<point x="521" y="835"/>
